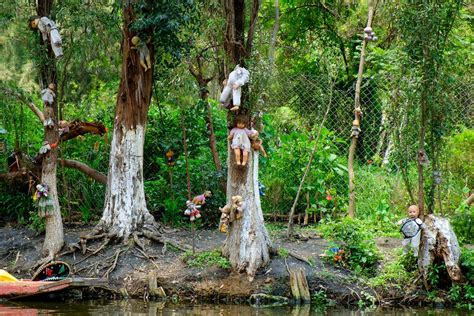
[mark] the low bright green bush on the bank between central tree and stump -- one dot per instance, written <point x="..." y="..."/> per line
<point x="352" y="236"/>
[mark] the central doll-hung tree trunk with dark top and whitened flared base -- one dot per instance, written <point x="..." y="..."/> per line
<point x="247" y="245"/>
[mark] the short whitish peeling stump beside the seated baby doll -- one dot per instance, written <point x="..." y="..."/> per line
<point x="438" y="244"/>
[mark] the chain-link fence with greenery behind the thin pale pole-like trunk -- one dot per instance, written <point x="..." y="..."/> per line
<point x="386" y="151"/>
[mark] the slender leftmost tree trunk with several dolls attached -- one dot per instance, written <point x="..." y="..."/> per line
<point x="54" y="236"/>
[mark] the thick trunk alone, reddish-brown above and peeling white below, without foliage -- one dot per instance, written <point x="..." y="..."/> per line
<point x="125" y="210"/>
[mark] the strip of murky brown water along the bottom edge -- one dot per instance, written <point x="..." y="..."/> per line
<point x="137" y="307"/>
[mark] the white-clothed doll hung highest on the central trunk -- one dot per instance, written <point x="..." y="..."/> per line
<point x="237" y="78"/>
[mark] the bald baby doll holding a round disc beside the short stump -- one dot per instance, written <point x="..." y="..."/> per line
<point x="410" y="228"/>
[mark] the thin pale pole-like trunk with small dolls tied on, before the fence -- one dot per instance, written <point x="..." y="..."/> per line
<point x="357" y="117"/>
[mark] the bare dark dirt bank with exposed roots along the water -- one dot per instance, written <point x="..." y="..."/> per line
<point x="128" y="269"/>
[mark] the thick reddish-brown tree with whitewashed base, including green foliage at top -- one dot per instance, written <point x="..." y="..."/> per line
<point x="155" y="25"/>
